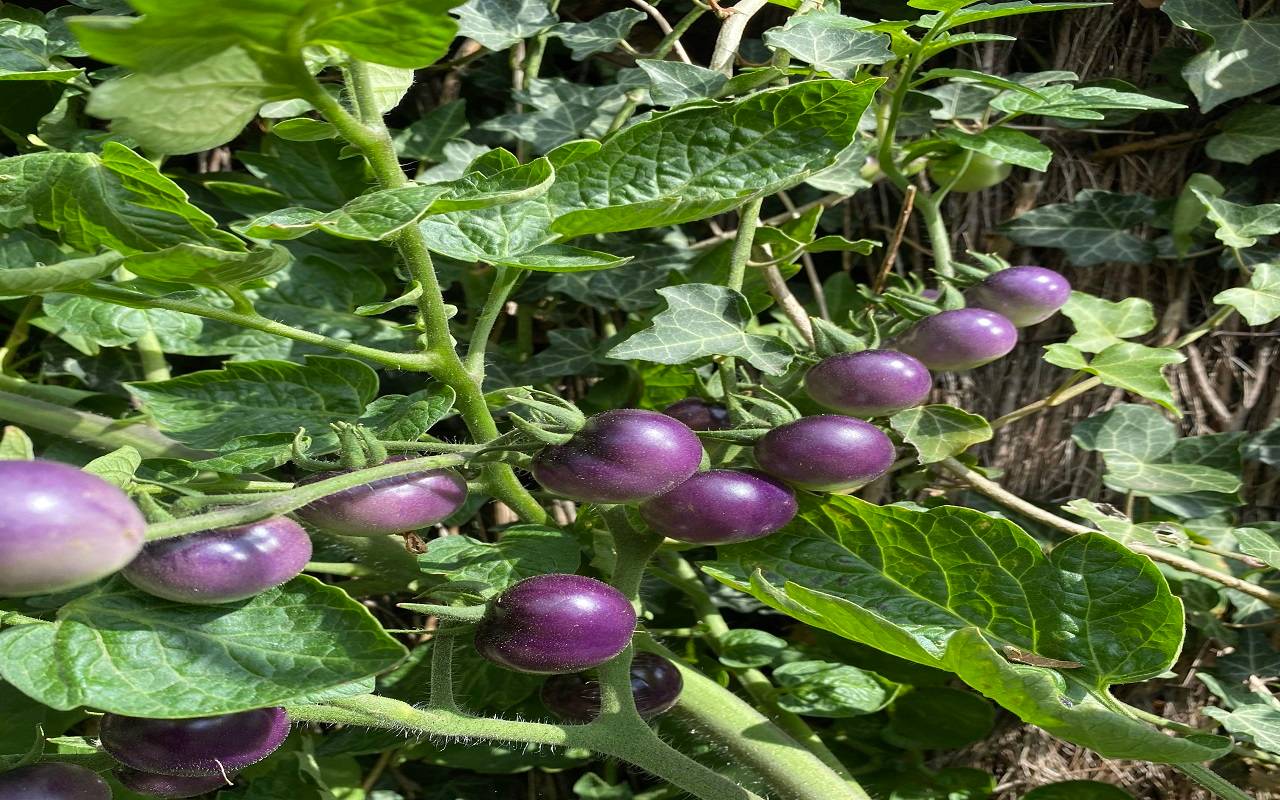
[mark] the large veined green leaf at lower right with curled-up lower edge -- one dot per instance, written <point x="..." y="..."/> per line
<point x="961" y="591"/>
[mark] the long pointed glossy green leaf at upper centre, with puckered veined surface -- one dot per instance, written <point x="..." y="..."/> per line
<point x="714" y="158"/>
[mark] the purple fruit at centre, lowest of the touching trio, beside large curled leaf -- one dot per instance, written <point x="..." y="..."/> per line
<point x="720" y="508"/>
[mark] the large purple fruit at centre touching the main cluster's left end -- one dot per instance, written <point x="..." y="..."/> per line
<point x="621" y="458"/>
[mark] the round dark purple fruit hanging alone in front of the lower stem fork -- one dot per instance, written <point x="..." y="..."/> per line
<point x="554" y="624"/>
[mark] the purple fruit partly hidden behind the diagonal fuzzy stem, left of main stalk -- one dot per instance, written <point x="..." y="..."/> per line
<point x="390" y="506"/>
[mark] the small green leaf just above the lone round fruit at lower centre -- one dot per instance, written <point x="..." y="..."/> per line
<point x="487" y="569"/>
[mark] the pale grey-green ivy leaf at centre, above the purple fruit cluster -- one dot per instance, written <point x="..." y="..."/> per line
<point x="705" y="321"/>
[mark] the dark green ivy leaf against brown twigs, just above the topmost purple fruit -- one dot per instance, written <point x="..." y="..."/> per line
<point x="1095" y="228"/>
